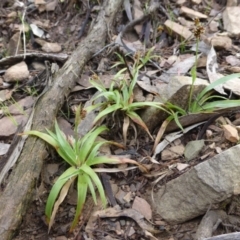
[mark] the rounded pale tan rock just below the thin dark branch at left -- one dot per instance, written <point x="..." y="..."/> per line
<point x="17" y="73"/>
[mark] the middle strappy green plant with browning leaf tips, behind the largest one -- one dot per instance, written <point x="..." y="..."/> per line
<point x="119" y="99"/>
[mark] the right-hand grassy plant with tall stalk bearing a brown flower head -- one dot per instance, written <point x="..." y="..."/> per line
<point x="205" y="101"/>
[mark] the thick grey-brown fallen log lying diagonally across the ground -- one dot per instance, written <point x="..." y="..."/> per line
<point x="18" y="193"/>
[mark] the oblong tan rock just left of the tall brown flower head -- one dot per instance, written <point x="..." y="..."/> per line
<point x="177" y="29"/>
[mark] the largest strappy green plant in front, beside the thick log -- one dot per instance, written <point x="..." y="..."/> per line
<point x="82" y="155"/>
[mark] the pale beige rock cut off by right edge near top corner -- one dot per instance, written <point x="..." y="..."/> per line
<point x="231" y="20"/>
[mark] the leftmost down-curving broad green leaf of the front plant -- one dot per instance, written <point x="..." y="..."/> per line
<point x="72" y="171"/>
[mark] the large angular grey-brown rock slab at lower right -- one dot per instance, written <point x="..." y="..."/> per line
<point x="208" y="183"/>
